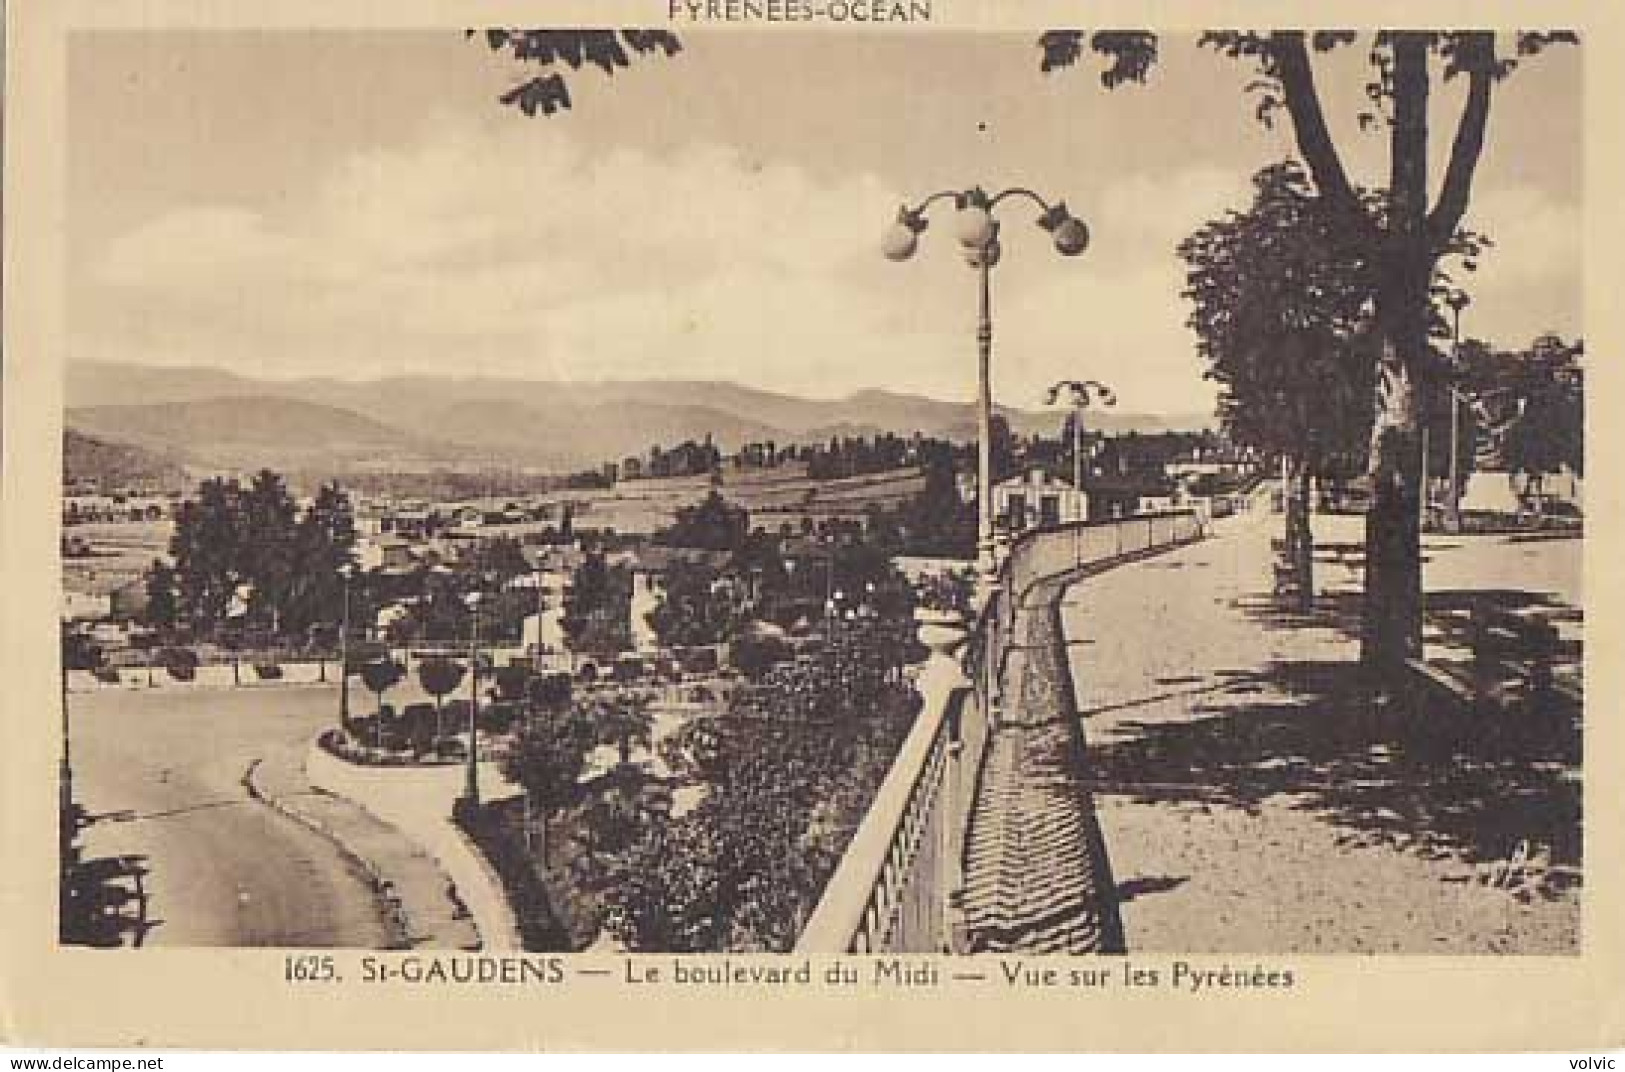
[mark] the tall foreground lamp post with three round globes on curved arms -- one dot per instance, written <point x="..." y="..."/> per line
<point x="979" y="236"/>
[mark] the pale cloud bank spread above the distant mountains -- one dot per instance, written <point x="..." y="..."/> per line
<point x="516" y="253"/>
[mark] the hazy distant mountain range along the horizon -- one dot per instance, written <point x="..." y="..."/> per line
<point x="217" y="420"/>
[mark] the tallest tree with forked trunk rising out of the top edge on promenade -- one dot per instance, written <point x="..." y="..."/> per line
<point x="1403" y="238"/>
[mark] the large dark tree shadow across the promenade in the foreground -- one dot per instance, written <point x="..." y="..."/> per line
<point x="1429" y="774"/>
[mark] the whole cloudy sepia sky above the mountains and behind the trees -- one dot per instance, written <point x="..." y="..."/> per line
<point x="358" y="204"/>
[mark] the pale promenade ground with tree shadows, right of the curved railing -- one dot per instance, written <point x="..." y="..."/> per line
<point x="1252" y="805"/>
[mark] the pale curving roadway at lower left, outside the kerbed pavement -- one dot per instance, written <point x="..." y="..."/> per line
<point x="162" y="776"/>
